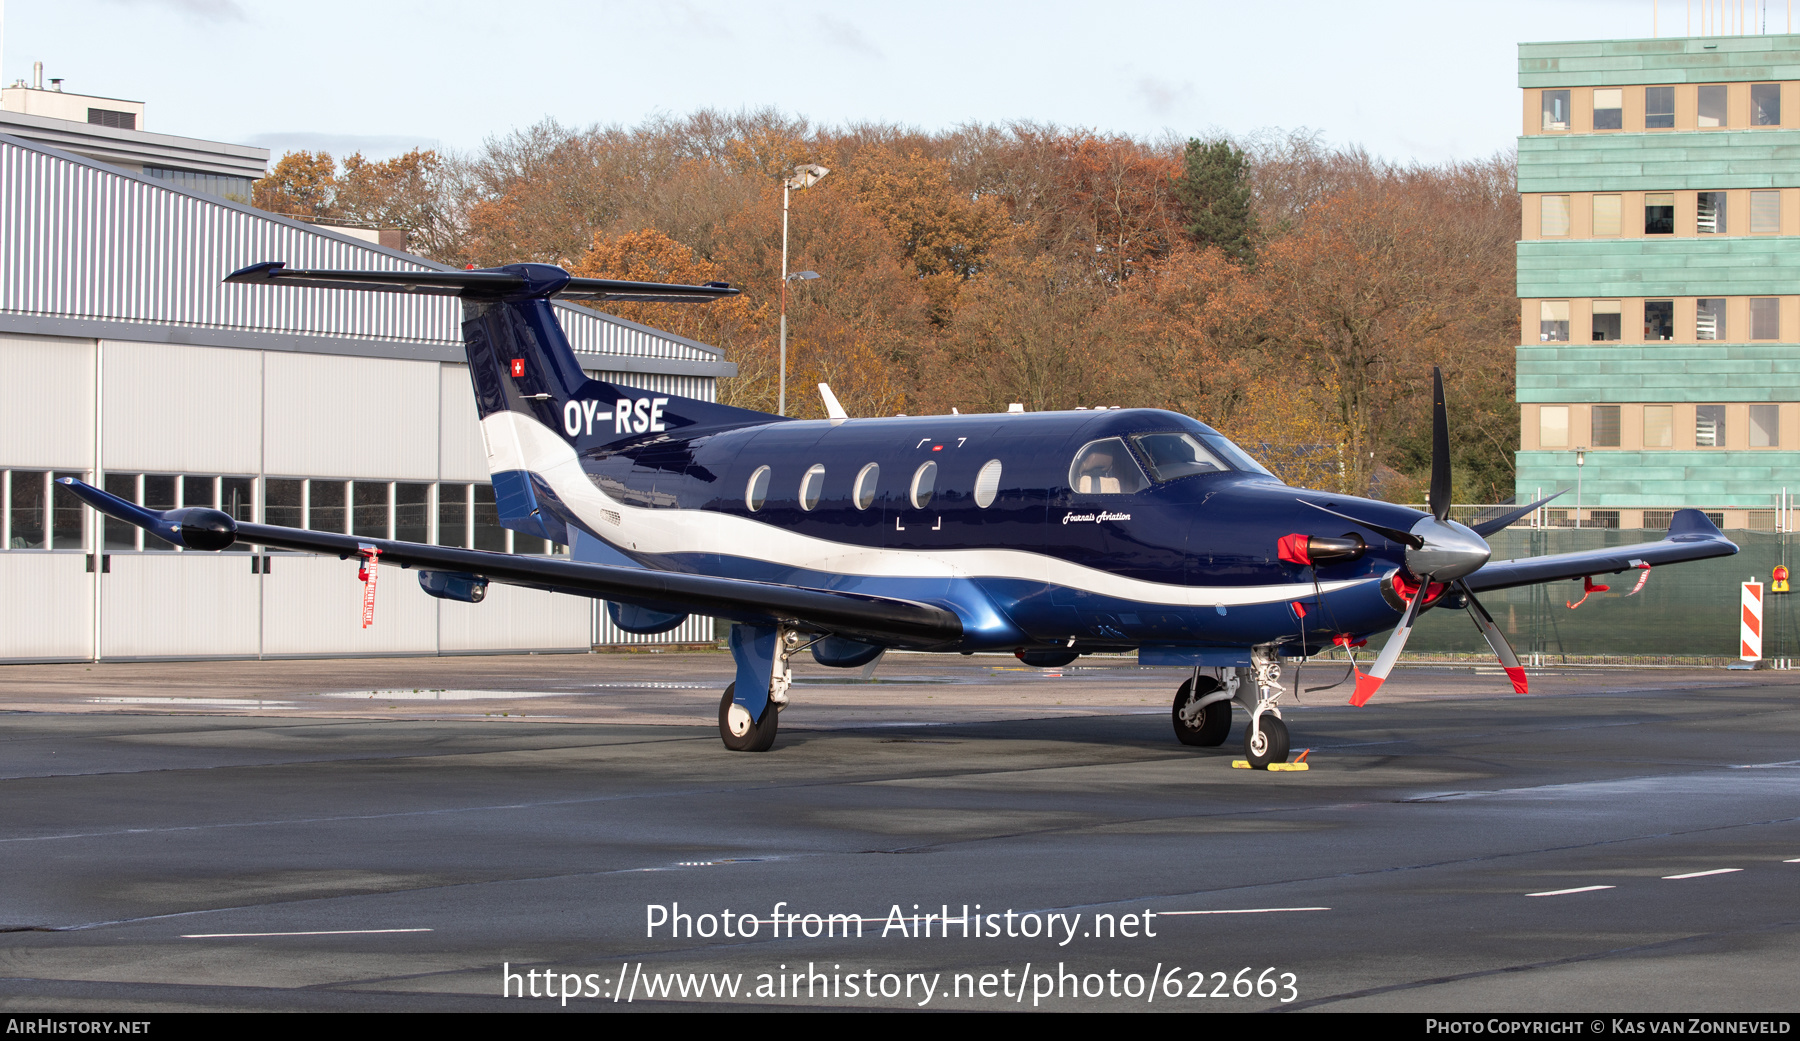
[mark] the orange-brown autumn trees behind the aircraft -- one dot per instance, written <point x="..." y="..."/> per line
<point x="1027" y="264"/>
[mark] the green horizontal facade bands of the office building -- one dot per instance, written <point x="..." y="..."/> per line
<point x="1664" y="266"/>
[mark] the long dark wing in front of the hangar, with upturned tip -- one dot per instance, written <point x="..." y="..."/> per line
<point x="874" y="619"/>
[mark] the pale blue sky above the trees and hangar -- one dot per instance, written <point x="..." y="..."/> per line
<point x="1412" y="82"/>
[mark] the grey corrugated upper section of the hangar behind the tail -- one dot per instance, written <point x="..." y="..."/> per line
<point x="94" y="251"/>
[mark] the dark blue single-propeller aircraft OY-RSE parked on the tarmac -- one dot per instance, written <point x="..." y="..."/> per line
<point x="1045" y="534"/>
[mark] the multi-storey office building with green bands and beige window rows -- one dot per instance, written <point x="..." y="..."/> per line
<point x="1660" y="276"/>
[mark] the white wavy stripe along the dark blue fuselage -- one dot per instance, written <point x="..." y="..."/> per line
<point x="519" y="442"/>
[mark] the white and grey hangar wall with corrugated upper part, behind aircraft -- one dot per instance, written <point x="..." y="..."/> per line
<point x="134" y="367"/>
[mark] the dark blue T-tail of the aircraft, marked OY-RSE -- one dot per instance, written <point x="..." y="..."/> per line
<point x="528" y="376"/>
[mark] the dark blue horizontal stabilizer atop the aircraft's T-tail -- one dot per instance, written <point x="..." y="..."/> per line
<point x="512" y="282"/>
